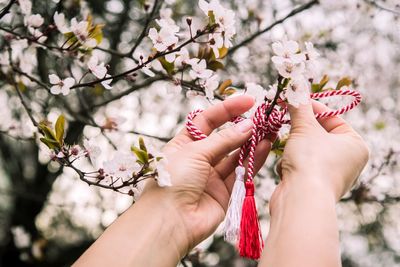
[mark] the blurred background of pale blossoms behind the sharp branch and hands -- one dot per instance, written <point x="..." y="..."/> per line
<point x="48" y="217"/>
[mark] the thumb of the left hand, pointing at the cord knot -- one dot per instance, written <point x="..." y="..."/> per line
<point x="221" y="143"/>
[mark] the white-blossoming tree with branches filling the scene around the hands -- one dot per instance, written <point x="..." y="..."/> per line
<point x="91" y="90"/>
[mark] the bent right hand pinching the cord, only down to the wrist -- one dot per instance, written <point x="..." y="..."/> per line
<point x="327" y="154"/>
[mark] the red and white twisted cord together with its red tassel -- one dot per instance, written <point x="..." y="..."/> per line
<point x="250" y="241"/>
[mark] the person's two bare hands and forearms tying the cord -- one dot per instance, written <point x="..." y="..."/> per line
<point x="167" y="222"/>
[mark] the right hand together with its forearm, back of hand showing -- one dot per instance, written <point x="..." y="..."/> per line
<point x="321" y="161"/>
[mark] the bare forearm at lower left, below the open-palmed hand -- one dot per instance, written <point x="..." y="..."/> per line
<point x="145" y="235"/>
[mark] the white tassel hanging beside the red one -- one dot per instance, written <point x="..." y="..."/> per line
<point x="234" y="213"/>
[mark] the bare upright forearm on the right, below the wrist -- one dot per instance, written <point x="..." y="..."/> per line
<point x="304" y="229"/>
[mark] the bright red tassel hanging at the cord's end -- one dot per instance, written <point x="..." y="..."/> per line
<point x="250" y="241"/>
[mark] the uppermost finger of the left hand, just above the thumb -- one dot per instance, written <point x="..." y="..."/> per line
<point x="217" y="115"/>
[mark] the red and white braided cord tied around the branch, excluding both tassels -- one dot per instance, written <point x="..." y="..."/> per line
<point x="264" y="126"/>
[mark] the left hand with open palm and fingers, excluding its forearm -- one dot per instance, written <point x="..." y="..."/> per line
<point x="202" y="171"/>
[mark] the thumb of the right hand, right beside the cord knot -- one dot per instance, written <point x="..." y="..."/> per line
<point x="302" y="117"/>
